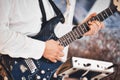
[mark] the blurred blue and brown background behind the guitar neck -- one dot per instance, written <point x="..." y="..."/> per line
<point x="103" y="46"/>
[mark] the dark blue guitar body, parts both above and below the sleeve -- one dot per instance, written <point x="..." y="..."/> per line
<point x="42" y="69"/>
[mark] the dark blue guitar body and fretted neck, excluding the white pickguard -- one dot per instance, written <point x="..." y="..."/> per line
<point x="43" y="69"/>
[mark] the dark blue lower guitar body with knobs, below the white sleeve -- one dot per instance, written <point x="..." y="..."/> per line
<point x="43" y="69"/>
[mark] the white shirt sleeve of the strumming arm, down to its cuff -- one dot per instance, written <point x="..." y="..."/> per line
<point x="14" y="43"/>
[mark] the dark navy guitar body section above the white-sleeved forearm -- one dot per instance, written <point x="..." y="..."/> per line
<point x="47" y="31"/>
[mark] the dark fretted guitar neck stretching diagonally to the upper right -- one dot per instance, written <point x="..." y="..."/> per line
<point x="83" y="28"/>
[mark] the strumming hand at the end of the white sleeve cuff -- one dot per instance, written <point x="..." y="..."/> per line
<point x="53" y="51"/>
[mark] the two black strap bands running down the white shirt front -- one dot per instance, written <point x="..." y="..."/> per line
<point x="55" y="8"/>
